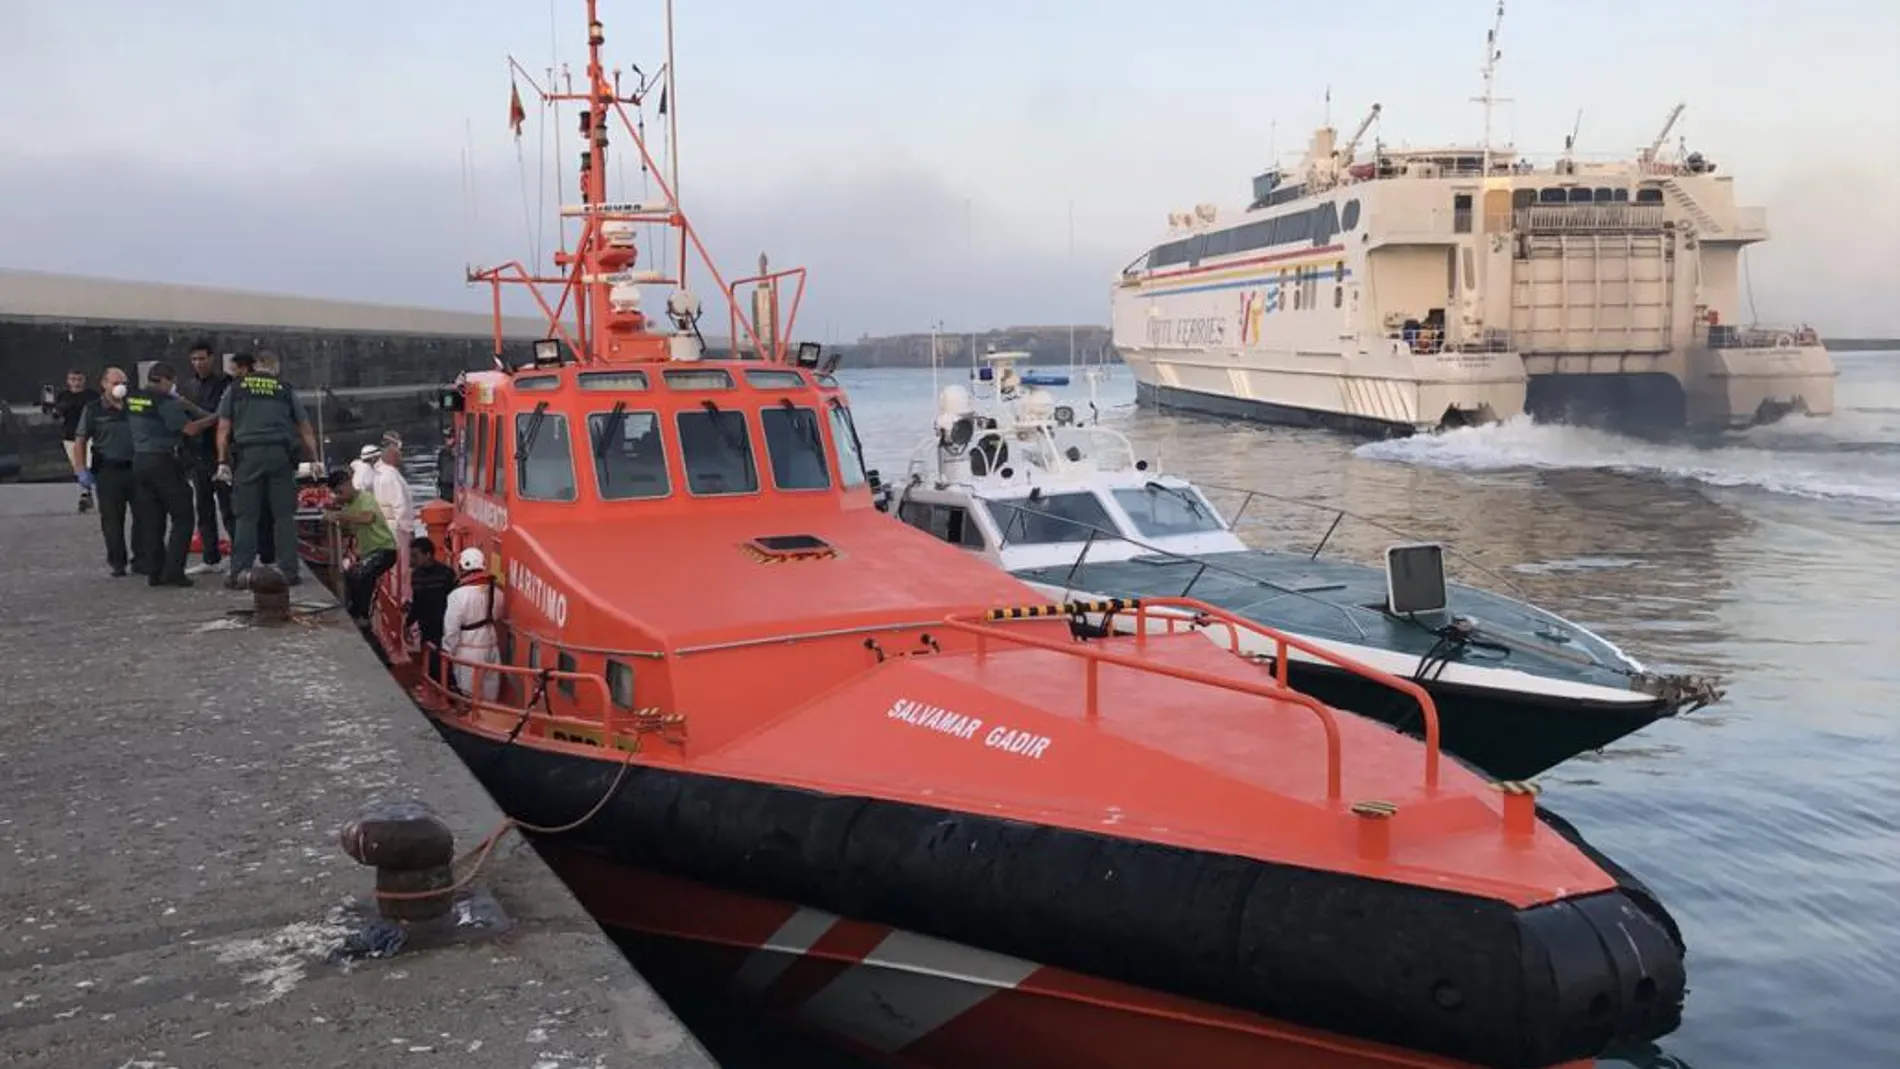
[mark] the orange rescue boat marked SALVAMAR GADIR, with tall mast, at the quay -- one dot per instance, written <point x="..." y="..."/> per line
<point x="793" y="749"/>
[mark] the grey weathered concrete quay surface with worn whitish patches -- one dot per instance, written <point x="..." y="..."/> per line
<point x="172" y="888"/>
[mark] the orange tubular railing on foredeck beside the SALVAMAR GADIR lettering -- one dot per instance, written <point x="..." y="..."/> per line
<point x="1204" y="614"/>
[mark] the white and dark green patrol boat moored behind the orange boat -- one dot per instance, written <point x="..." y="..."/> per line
<point x="1067" y="506"/>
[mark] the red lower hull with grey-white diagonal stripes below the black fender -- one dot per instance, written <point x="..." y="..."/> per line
<point x="892" y="998"/>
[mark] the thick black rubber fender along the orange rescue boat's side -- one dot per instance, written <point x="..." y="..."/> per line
<point x="1454" y="975"/>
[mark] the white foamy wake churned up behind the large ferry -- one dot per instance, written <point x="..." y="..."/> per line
<point x="1834" y="466"/>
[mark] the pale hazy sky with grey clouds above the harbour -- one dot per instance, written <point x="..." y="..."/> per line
<point x="974" y="164"/>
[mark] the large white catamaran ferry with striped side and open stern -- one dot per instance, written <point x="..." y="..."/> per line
<point x="1439" y="288"/>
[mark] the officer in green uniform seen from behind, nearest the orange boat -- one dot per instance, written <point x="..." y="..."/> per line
<point x="259" y="428"/>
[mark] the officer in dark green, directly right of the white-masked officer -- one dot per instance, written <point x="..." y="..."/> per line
<point x="162" y="489"/>
